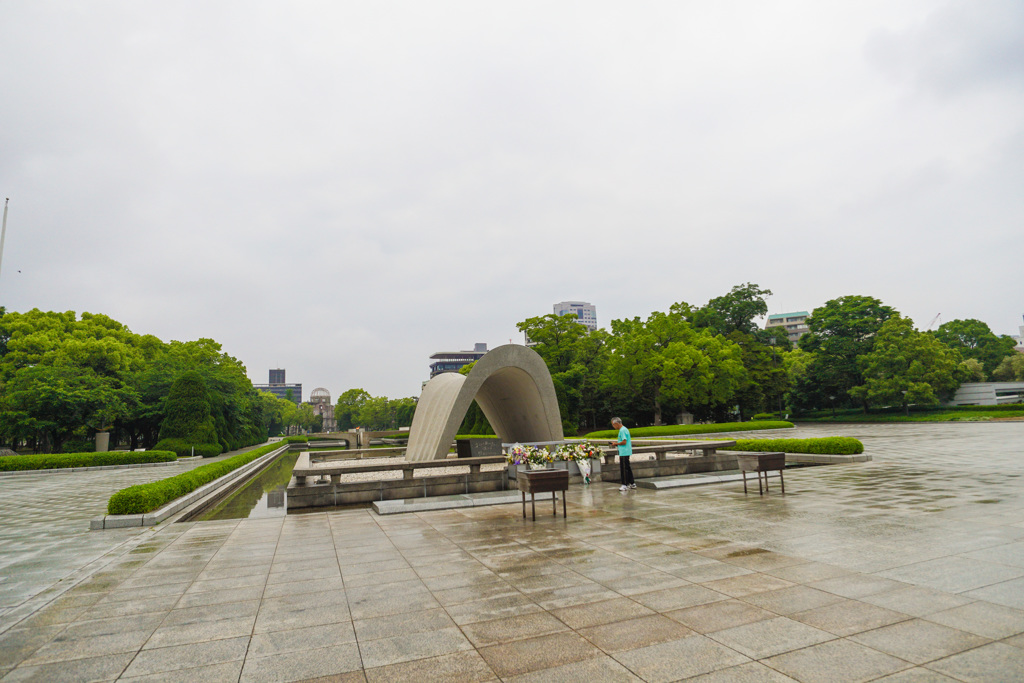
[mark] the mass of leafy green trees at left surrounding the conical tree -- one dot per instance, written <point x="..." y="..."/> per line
<point x="63" y="377"/>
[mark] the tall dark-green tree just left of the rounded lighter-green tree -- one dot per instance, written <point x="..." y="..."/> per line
<point x="839" y="333"/>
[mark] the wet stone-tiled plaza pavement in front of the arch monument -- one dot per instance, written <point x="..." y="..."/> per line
<point x="907" y="569"/>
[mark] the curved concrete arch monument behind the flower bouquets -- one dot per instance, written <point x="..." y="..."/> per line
<point x="513" y="387"/>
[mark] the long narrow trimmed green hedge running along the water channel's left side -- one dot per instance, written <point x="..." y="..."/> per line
<point x="149" y="497"/>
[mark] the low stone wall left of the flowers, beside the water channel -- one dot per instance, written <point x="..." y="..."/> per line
<point x="315" y="495"/>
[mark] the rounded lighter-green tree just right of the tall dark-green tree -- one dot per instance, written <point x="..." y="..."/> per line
<point x="908" y="367"/>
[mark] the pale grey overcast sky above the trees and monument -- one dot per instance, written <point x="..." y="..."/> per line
<point x="344" y="189"/>
